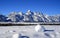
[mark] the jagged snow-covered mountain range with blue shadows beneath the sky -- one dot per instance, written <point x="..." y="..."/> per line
<point x="29" y="17"/>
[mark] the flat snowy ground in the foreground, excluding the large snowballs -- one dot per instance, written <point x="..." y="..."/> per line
<point x="29" y="31"/>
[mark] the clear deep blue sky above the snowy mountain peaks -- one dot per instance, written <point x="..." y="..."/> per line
<point x="50" y="7"/>
